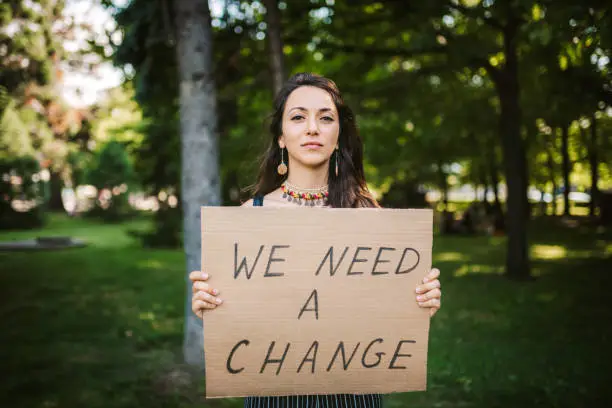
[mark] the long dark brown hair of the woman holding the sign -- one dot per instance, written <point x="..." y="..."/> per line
<point x="349" y="188"/>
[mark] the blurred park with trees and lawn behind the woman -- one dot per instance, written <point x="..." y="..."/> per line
<point x="118" y="119"/>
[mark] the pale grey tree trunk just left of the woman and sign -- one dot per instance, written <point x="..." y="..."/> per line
<point x="200" y="184"/>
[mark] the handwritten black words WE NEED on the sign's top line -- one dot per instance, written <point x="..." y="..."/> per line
<point x="346" y="261"/>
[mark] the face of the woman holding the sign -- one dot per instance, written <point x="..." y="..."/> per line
<point x="310" y="126"/>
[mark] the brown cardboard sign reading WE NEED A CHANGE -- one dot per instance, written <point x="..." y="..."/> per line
<point x="316" y="301"/>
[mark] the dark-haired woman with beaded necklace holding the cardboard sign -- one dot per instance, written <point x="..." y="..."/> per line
<point x="315" y="159"/>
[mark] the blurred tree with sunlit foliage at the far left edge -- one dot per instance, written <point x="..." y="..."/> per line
<point x="33" y="55"/>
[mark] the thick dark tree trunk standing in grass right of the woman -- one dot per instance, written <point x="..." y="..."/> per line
<point x="506" y="81"/>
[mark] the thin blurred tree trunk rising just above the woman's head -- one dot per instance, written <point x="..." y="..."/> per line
<point x="275" y="44"/>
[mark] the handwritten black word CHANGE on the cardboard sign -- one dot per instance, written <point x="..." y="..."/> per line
<point x="365" y="356"/>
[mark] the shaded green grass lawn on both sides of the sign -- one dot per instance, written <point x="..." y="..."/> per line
<point x="101" y="326"/>
